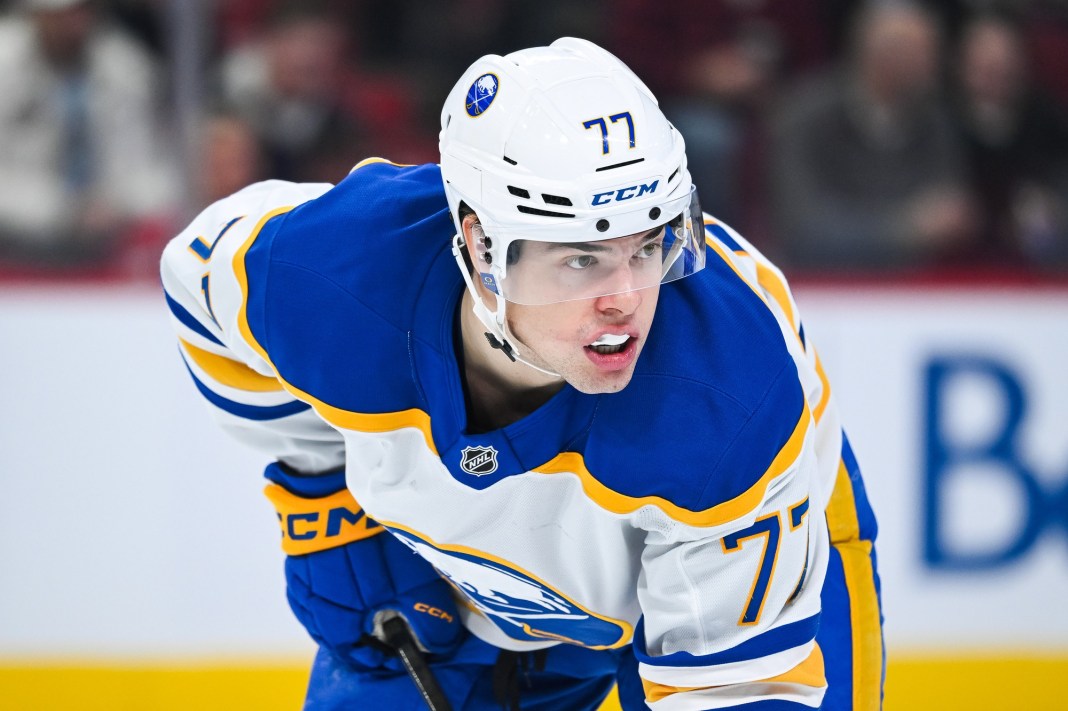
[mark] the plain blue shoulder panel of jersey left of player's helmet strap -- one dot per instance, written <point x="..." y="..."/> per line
<point x="334" y="283"/>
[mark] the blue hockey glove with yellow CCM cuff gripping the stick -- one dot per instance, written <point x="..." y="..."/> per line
<point x="345" y="574"/>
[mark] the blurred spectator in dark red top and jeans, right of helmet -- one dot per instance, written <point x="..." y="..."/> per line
<point x="715" y="65"/>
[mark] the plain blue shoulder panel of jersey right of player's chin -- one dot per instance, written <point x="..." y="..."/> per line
<point x="715" y="398"/>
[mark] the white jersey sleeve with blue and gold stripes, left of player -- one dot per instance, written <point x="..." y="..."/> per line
<point x="206" y="298"/>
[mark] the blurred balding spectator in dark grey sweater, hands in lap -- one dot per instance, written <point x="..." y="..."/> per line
<point x="867" y="171"/>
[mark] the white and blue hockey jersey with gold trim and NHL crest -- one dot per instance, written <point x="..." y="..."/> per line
<point x="684" y="514"/>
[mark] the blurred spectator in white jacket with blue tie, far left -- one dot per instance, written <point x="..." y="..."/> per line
<point x="83" y="153"/>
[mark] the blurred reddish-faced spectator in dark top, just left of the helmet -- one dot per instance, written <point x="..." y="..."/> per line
<point x="292" y="86"/>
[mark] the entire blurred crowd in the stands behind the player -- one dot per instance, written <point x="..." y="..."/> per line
<point x="840" y="136"/>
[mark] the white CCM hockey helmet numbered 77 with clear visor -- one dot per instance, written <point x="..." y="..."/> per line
<point x="561" y="146"/>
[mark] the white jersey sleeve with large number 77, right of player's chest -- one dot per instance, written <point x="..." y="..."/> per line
<point x="730" y="613"/>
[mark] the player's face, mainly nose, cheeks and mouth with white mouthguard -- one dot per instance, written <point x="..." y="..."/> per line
<point x="593" y="343"/>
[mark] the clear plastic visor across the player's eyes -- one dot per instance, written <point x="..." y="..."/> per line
<point x="541" y="272"/>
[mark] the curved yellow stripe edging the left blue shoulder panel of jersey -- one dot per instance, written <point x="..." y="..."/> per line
<point x="347" y="419"/>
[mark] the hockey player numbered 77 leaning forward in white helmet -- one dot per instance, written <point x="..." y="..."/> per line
<point x="600" y="453"/>
